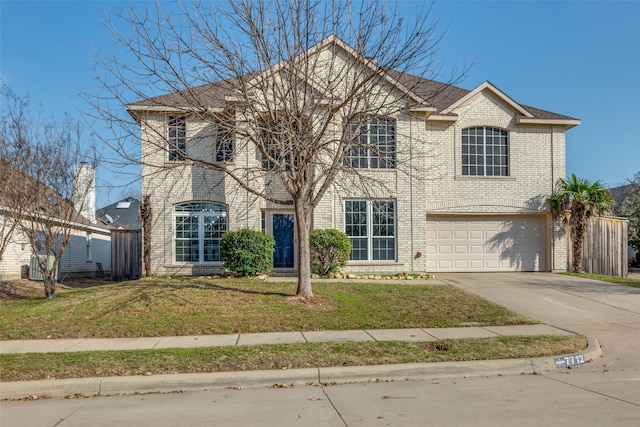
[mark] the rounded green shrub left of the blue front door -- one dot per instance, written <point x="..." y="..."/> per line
<point x="247" y="252"/>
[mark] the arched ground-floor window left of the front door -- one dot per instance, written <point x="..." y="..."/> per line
<point x="198" y="230"/>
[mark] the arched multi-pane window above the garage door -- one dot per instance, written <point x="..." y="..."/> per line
<point x="485" y="152"/>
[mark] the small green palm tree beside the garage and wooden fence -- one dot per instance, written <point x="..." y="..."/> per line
<point x="576" y="200"/>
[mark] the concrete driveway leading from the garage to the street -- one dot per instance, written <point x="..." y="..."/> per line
<point x="608" y="312"/>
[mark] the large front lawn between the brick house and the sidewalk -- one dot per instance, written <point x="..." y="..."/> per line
<point x="163" y="306"/>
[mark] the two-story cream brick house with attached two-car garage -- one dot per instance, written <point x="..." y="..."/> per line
<point x="477" y="200"/>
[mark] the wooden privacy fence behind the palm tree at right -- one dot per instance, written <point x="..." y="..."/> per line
<point x="605" y="247"/>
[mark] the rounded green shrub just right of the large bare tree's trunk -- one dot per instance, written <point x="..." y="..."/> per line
<point x="330" y="251"/>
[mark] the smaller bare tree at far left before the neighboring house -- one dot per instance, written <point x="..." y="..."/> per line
<point x="43" y="194"/>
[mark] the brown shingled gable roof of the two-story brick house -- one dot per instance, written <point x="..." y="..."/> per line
<point x="435" y="99"/>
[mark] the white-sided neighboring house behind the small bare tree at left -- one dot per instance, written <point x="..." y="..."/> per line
<point x="89" y="244"/>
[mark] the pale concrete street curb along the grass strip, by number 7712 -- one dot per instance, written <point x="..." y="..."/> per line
<point x="109" y="386"/>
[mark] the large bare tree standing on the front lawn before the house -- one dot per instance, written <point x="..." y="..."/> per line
<point x="299" y="83"/>
